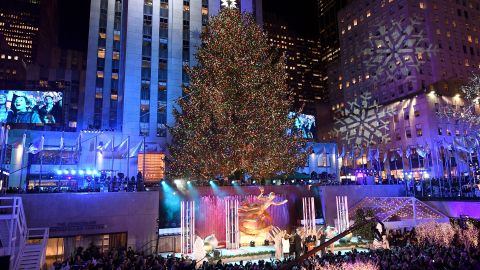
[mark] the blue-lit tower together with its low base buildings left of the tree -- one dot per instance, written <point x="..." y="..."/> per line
<point x="134" y="75"/>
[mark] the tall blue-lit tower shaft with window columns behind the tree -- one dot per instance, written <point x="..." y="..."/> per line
<point x="136" y="53"/>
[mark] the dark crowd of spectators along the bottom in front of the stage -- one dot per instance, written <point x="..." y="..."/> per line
<point x="405" y="252"/>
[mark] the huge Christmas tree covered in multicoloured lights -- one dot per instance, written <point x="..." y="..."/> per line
<point x="234" y="117"/>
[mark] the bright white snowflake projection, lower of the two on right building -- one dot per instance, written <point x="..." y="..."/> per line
<point x="363" y="122"/>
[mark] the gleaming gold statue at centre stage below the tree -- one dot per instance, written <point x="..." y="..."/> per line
<point x="254" y="218"/>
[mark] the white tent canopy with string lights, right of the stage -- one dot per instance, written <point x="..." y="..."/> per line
<point x="399" y="212"/>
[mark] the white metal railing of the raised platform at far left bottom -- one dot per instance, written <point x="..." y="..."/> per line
<point x="11" y="211"/>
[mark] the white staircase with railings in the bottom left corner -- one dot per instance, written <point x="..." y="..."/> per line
<point x="26" y="247"/>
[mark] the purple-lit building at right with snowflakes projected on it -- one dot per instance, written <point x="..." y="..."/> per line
<point x="412" y="57"/>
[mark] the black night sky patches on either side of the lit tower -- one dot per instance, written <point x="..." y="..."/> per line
<point x="74" y="16"/>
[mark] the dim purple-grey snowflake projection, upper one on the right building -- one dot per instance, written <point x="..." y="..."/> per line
<point x="394" y="50"/>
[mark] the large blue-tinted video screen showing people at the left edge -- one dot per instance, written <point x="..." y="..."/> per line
<point x="31" y="107"/>
